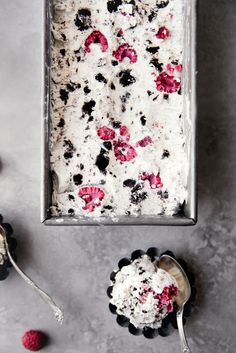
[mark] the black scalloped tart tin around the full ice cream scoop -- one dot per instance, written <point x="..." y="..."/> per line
<point x="169" y="323"/>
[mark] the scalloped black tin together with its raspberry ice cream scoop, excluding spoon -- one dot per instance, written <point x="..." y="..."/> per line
<point x="143" y="295"/>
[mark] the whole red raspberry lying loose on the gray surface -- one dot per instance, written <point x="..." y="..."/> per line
<point x="34" y="340"/>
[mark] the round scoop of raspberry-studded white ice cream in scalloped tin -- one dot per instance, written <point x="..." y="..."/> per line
<point x="144" y="293"/>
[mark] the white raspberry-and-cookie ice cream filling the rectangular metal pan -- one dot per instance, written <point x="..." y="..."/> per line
<point x="117" y="141"/>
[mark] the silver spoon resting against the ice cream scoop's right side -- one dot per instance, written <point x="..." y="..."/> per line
<point x="170" y="265"/>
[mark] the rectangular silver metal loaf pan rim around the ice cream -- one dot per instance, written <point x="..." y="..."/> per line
<point x="188" y="216"/>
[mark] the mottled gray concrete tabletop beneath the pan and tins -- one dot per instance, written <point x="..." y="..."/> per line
<point x="74" y="263"/>
